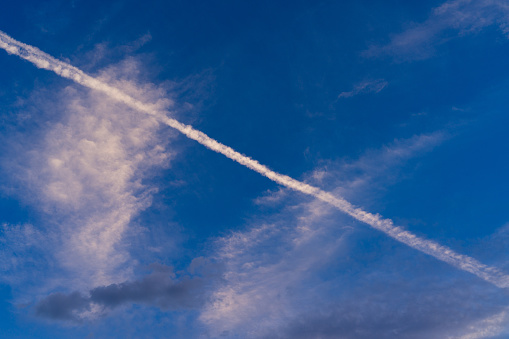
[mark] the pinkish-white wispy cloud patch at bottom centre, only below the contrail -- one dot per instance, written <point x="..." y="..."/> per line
<point x="266" y="265"/>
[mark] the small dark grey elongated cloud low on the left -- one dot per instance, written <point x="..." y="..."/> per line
<point x="162" y="288"/>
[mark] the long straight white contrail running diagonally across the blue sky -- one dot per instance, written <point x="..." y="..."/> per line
<point x="443" y="253"/>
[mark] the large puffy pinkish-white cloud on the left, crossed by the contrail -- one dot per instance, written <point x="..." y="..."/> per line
<point x="82" y="163"/>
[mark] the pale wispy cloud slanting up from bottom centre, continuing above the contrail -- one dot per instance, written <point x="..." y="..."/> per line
<point x="283" y="261"/>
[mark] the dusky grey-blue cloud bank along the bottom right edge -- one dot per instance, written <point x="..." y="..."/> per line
<point x="440" y="311"/>
